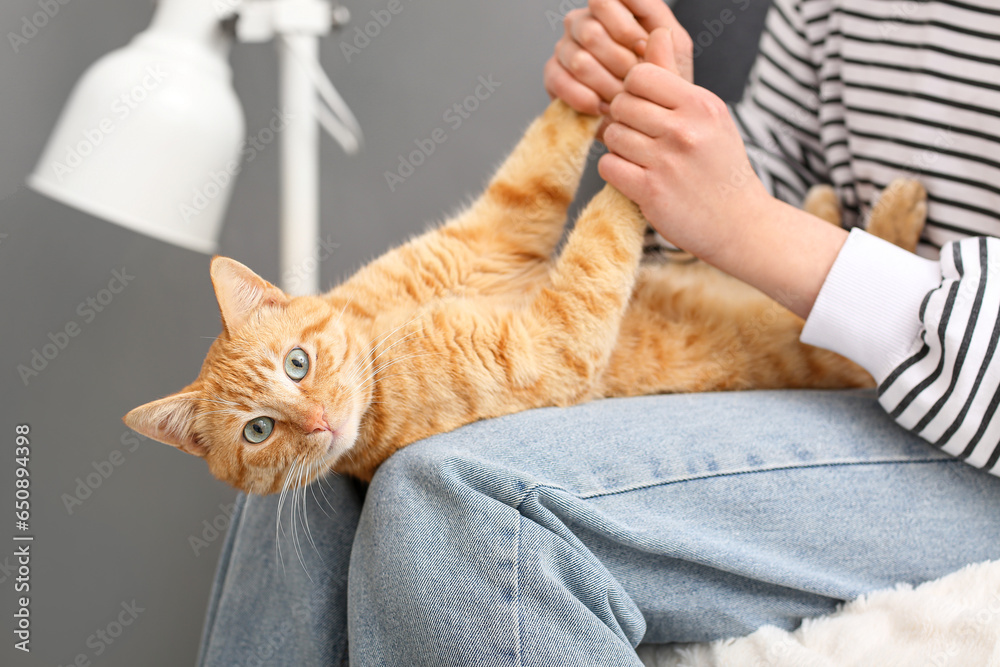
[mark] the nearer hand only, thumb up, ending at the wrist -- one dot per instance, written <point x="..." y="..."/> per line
<point x="676" y="152"/>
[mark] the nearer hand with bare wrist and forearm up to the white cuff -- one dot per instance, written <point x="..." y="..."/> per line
<point x="676" y="152"/>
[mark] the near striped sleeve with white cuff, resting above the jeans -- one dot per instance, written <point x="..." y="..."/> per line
<point x="927" y="331"/>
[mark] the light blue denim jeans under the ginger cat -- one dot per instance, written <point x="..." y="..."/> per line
<point x="567" y="536"/>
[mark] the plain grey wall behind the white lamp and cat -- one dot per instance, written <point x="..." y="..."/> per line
<point x="130" y="538"/>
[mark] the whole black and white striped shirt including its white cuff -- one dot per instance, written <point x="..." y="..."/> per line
<point x="857" y="93"/>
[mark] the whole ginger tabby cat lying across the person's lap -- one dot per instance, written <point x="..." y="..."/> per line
<point x="476" y="319"/>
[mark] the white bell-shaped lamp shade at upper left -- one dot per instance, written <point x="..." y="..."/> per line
<point x="151" y="137"/>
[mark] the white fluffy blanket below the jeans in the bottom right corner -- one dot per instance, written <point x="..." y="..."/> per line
<point x="953" y="621"/>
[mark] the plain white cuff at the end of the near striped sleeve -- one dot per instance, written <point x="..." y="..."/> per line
<point x="868" y="309"/>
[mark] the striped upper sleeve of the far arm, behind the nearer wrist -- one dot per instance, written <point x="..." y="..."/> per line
<point x="778" y="113"/>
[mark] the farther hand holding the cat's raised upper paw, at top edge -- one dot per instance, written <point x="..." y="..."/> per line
<point x="600" y="46"/>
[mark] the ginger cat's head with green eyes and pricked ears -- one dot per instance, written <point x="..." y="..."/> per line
<point x="281" y="393"/>
